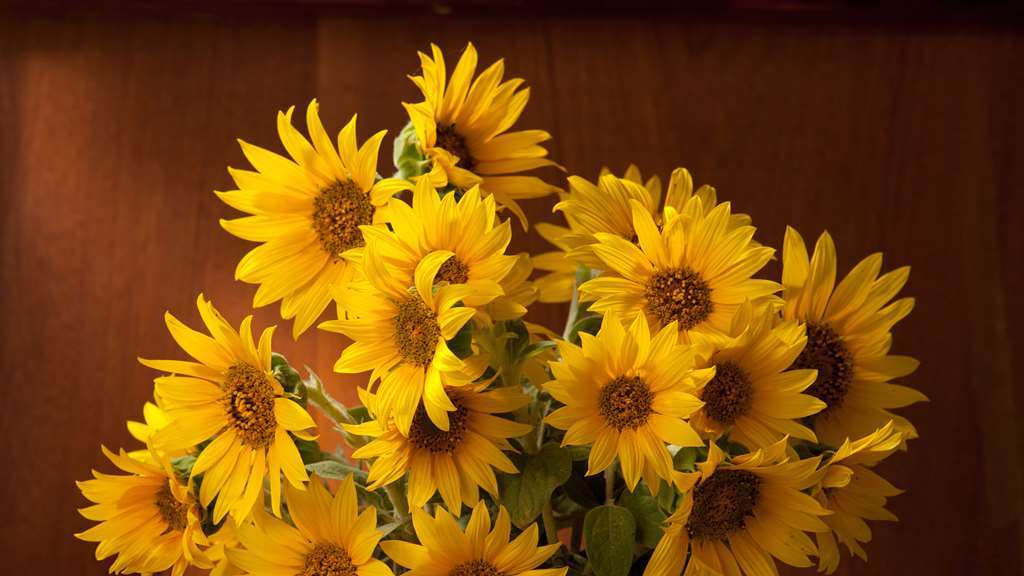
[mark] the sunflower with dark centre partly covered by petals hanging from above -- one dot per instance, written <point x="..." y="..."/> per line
<point x="455" y="463"/>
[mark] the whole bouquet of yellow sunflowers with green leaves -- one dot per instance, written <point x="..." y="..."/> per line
<point x="691" y="418"/>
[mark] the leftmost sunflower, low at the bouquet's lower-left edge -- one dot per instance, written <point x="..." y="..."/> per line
<point x="148" y="518"/>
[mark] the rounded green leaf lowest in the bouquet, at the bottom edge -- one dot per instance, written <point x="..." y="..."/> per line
<point x="610" y="532"/>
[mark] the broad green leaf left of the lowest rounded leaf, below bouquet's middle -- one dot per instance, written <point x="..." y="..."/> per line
<point x="525" y="495"/>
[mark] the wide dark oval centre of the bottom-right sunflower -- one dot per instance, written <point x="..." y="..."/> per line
<point x="722" y="504"/>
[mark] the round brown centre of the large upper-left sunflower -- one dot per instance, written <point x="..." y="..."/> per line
<point x="339" y="211"/>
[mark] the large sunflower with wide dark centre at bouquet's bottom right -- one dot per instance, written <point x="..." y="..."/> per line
<point x="735" y="518"/>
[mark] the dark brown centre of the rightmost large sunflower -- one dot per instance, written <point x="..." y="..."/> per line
<point x="827" y="354"/>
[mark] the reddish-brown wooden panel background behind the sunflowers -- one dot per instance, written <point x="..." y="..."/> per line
<point x="115" y="128"/>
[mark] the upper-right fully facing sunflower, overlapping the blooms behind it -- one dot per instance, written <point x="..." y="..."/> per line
<point x="696" y="272"/>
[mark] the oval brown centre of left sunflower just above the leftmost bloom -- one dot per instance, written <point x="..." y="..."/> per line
<point x="249" y="403"/>
